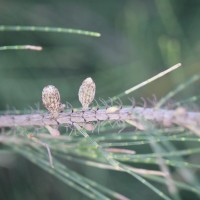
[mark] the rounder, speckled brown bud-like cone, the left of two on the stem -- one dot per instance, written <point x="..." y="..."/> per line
<point x="51" y="99"/>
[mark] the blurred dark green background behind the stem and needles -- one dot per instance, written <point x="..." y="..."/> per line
<point x="139" y="39"/>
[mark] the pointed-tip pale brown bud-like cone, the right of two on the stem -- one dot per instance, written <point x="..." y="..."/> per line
<point x="87" y="92"/>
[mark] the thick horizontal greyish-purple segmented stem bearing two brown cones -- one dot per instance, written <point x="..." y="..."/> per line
<point x="137" y="115"/>
